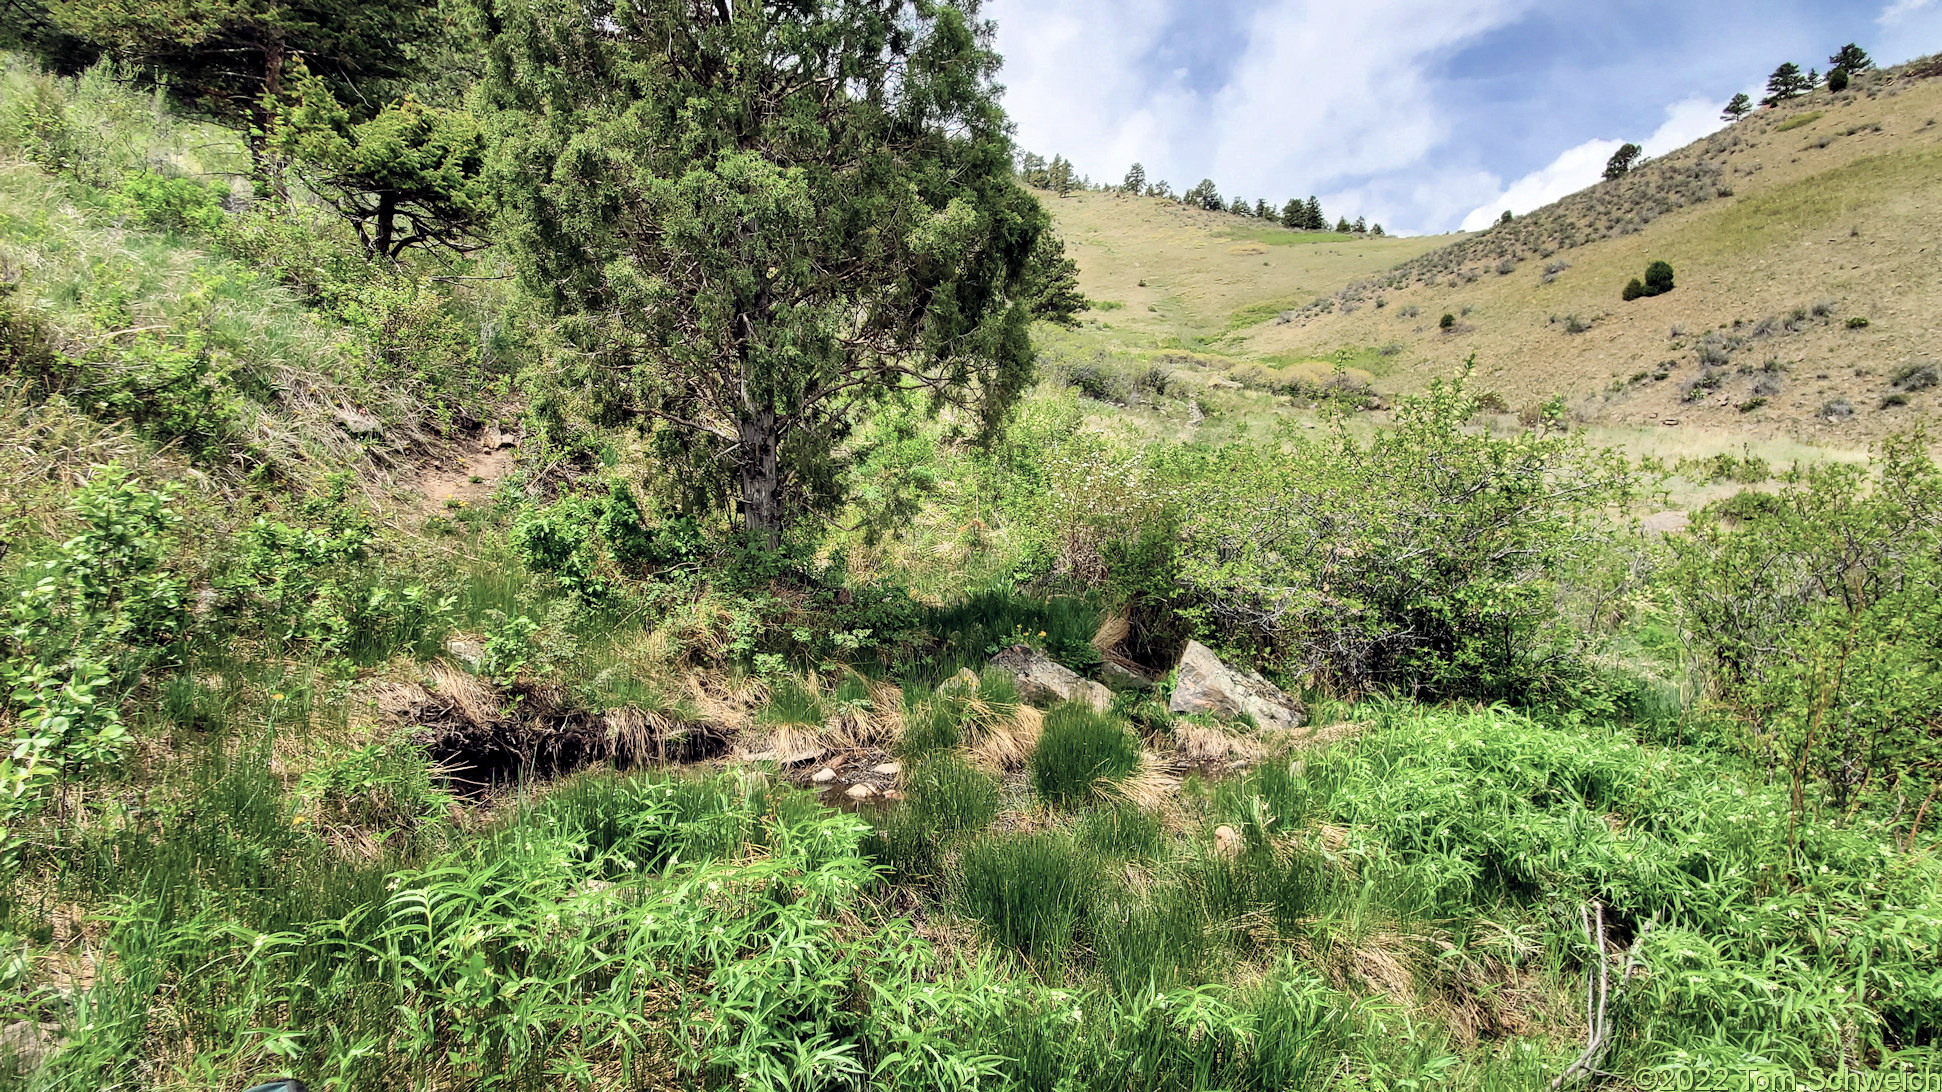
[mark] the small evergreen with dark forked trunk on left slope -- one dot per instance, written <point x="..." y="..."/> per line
<point x="411" y="164"/>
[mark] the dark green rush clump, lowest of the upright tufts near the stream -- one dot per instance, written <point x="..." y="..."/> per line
<point x="1030" y="893"/>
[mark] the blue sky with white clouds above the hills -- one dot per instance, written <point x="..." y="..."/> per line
<point x="1423" y="116"/>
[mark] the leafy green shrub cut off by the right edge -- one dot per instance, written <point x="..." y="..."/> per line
<point x="1821" y="619"/>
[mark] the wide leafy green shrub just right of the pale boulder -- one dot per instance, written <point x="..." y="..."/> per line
<point x="1444" y="582"/>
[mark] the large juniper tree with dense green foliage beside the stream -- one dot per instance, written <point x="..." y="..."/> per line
<point x="758" y="224"/>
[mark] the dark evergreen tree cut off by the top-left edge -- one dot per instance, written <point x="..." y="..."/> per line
<point x="230" y="61"/>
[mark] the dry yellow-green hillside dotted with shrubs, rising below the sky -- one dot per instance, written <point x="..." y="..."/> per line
<point x="1782" y="230"/>
